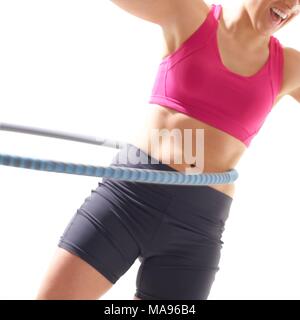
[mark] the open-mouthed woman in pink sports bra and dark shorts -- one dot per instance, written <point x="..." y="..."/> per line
<point x="223" y="72"/>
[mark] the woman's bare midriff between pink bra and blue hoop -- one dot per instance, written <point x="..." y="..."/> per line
<point x="178" y="139"/>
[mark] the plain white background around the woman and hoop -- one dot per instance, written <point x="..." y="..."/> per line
<point x="88" y="67"/>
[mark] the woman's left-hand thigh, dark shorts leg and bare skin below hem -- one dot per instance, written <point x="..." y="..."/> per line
<point x="106" y="235"/>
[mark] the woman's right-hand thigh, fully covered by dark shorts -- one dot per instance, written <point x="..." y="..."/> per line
<point x="182" y="261"/>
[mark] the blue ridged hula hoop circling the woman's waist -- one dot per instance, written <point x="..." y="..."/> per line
<point x="111" y="172"/>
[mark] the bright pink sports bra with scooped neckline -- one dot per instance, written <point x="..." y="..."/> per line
<point x="194" y="81"/>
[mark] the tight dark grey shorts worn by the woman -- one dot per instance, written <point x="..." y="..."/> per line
<point x="175" y="232"/>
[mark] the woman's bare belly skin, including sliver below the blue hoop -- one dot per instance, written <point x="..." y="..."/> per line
<point x="221" y="150"/>
